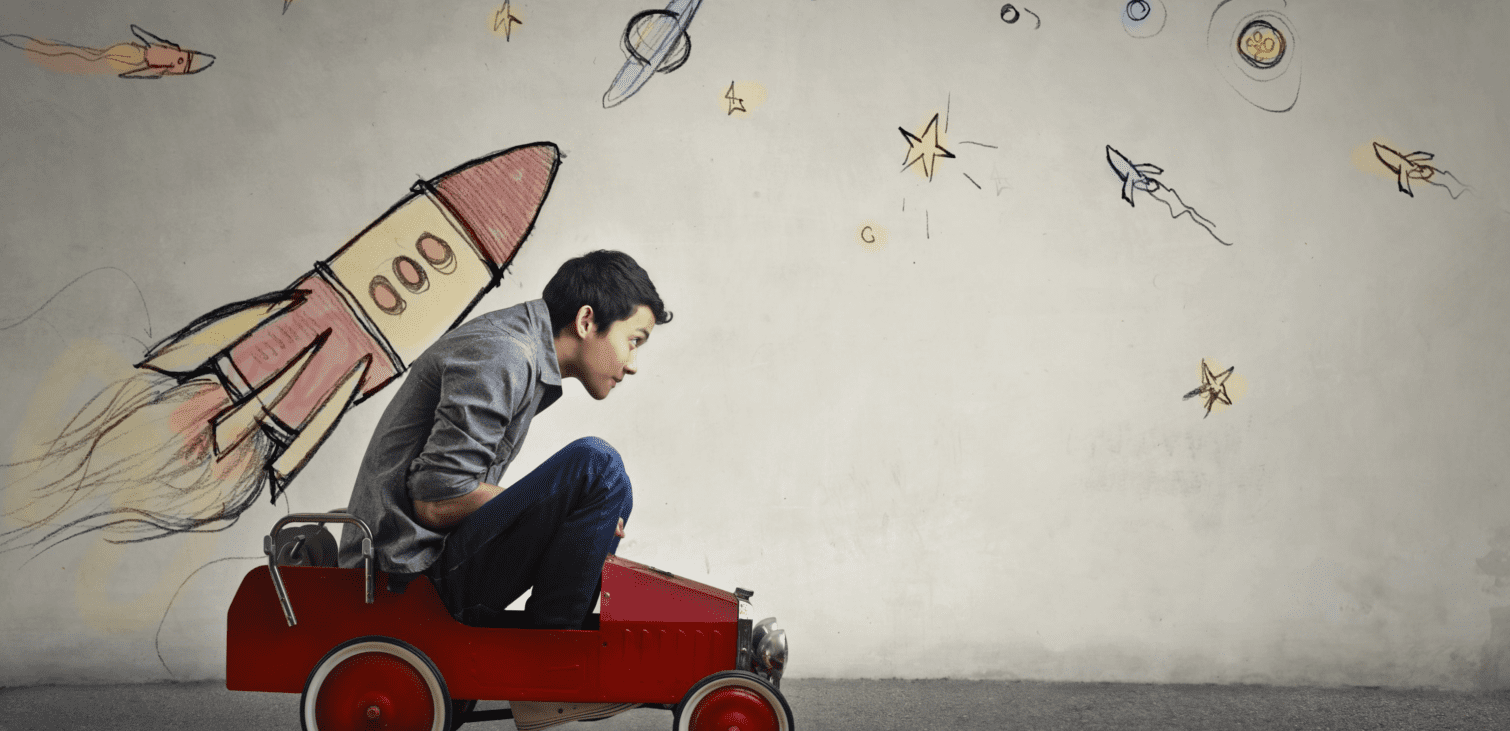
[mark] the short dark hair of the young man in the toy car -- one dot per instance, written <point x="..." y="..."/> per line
<point x="611" y="282"/>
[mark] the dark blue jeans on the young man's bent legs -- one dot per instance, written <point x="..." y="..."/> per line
<point x="550" y="531"/>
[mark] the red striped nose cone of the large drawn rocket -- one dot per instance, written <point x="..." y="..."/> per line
<point x="499" y="197"/>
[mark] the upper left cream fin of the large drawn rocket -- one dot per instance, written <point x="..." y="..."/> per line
<point x="190" y="350"/>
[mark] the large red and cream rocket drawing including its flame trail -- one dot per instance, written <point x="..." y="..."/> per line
<point x="244" y="396"/>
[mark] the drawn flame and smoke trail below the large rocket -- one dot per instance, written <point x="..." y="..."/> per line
<point x="135" y="463"/>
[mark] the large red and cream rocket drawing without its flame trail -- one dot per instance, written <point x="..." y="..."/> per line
<point x="294" y="362"/>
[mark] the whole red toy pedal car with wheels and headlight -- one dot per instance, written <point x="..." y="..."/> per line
<point x="371" y="658"/>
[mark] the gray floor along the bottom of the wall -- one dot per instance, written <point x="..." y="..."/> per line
<point x="840" y="705"/>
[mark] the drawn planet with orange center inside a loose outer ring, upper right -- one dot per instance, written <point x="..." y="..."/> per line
<point x="1256" y="51"/>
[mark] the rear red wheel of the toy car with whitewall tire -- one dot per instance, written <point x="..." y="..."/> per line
<point x="375" y="683"/>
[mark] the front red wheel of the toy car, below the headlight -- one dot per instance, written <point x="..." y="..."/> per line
<point x="733" y="700"/>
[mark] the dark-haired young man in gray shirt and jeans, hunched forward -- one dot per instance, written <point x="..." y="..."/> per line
<point x="431" y="481"/>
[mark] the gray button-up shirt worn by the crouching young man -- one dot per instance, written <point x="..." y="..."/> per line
<point x="458" y="419"/>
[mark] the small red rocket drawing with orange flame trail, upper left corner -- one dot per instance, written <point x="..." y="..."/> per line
<point x="149" y="58"/>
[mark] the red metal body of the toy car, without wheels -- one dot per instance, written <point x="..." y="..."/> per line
<point x="658" y="635"/>
